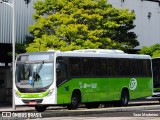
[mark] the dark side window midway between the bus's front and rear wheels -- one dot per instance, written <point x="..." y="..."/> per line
<point x="100" y="67"/>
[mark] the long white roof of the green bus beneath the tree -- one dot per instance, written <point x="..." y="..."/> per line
<point x="108" y="53"/>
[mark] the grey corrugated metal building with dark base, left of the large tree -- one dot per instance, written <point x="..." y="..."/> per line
<point x="23" y="18"/>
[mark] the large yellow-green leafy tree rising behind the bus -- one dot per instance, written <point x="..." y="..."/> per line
<point x="81" y="24"/>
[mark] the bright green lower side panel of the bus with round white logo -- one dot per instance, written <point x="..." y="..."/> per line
<point x="103" y="89"/>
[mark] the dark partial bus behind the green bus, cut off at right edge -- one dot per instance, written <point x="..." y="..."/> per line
<point x="156" y="78"/>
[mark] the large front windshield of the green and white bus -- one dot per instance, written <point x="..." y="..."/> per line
<point x="34" y="75"/>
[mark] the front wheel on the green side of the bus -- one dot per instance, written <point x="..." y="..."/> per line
<point x="75" y="100"/>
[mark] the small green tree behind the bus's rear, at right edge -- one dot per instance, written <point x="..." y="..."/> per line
<point x="153" y="51"/>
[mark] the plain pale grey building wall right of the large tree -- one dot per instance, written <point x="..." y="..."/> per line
<point x="147" y="19"/>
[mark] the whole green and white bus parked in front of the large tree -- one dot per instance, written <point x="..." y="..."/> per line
<point x="89" y="77"/>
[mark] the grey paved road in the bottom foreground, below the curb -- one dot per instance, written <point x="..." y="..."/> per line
<point x="134" y="115"/>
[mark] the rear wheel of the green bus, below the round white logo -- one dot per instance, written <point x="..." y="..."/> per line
<point x="124" y="98"/>
